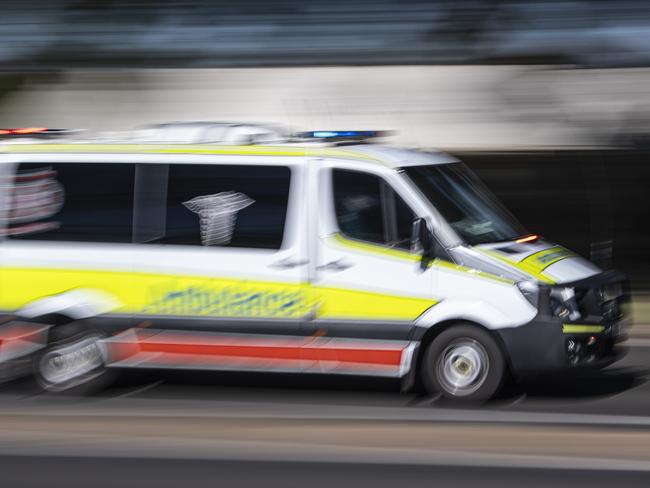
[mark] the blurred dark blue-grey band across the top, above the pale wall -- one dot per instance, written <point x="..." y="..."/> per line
<point x="60" y="33"/>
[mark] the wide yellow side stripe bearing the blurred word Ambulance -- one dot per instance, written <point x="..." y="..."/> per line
<point x="160" y="294"/>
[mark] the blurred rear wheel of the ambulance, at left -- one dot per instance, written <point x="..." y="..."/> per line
<point x="72" y="342"/>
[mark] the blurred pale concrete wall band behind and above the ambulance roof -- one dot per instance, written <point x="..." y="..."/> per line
<point x="444" y="106"/>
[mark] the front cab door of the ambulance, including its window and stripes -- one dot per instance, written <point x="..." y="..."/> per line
<point x="370" y="287"/>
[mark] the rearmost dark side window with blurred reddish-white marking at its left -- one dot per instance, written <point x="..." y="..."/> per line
<point x="83" y="202"/>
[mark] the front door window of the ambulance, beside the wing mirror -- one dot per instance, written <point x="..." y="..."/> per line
<point x="368" y="209"/>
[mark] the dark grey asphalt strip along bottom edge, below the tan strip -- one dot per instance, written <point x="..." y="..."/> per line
<point x="62" y="472"/>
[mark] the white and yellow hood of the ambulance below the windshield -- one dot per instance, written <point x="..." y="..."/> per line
<point x="540" y="260"/>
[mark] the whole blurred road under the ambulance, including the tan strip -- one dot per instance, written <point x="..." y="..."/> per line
<point x="167" y="429"/>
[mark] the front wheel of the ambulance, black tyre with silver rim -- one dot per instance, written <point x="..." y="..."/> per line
<point x="463" y="363"/>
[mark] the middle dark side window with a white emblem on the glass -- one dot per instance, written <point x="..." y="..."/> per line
<point x="214" y="205"/>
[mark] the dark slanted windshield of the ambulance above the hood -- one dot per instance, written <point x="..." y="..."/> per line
<point x="465" y="203"/>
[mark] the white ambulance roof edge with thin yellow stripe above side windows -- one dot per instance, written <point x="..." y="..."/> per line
<point x="385" y="155"/>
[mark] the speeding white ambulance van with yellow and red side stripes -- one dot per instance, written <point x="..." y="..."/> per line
<point x="322" y="253"/>
